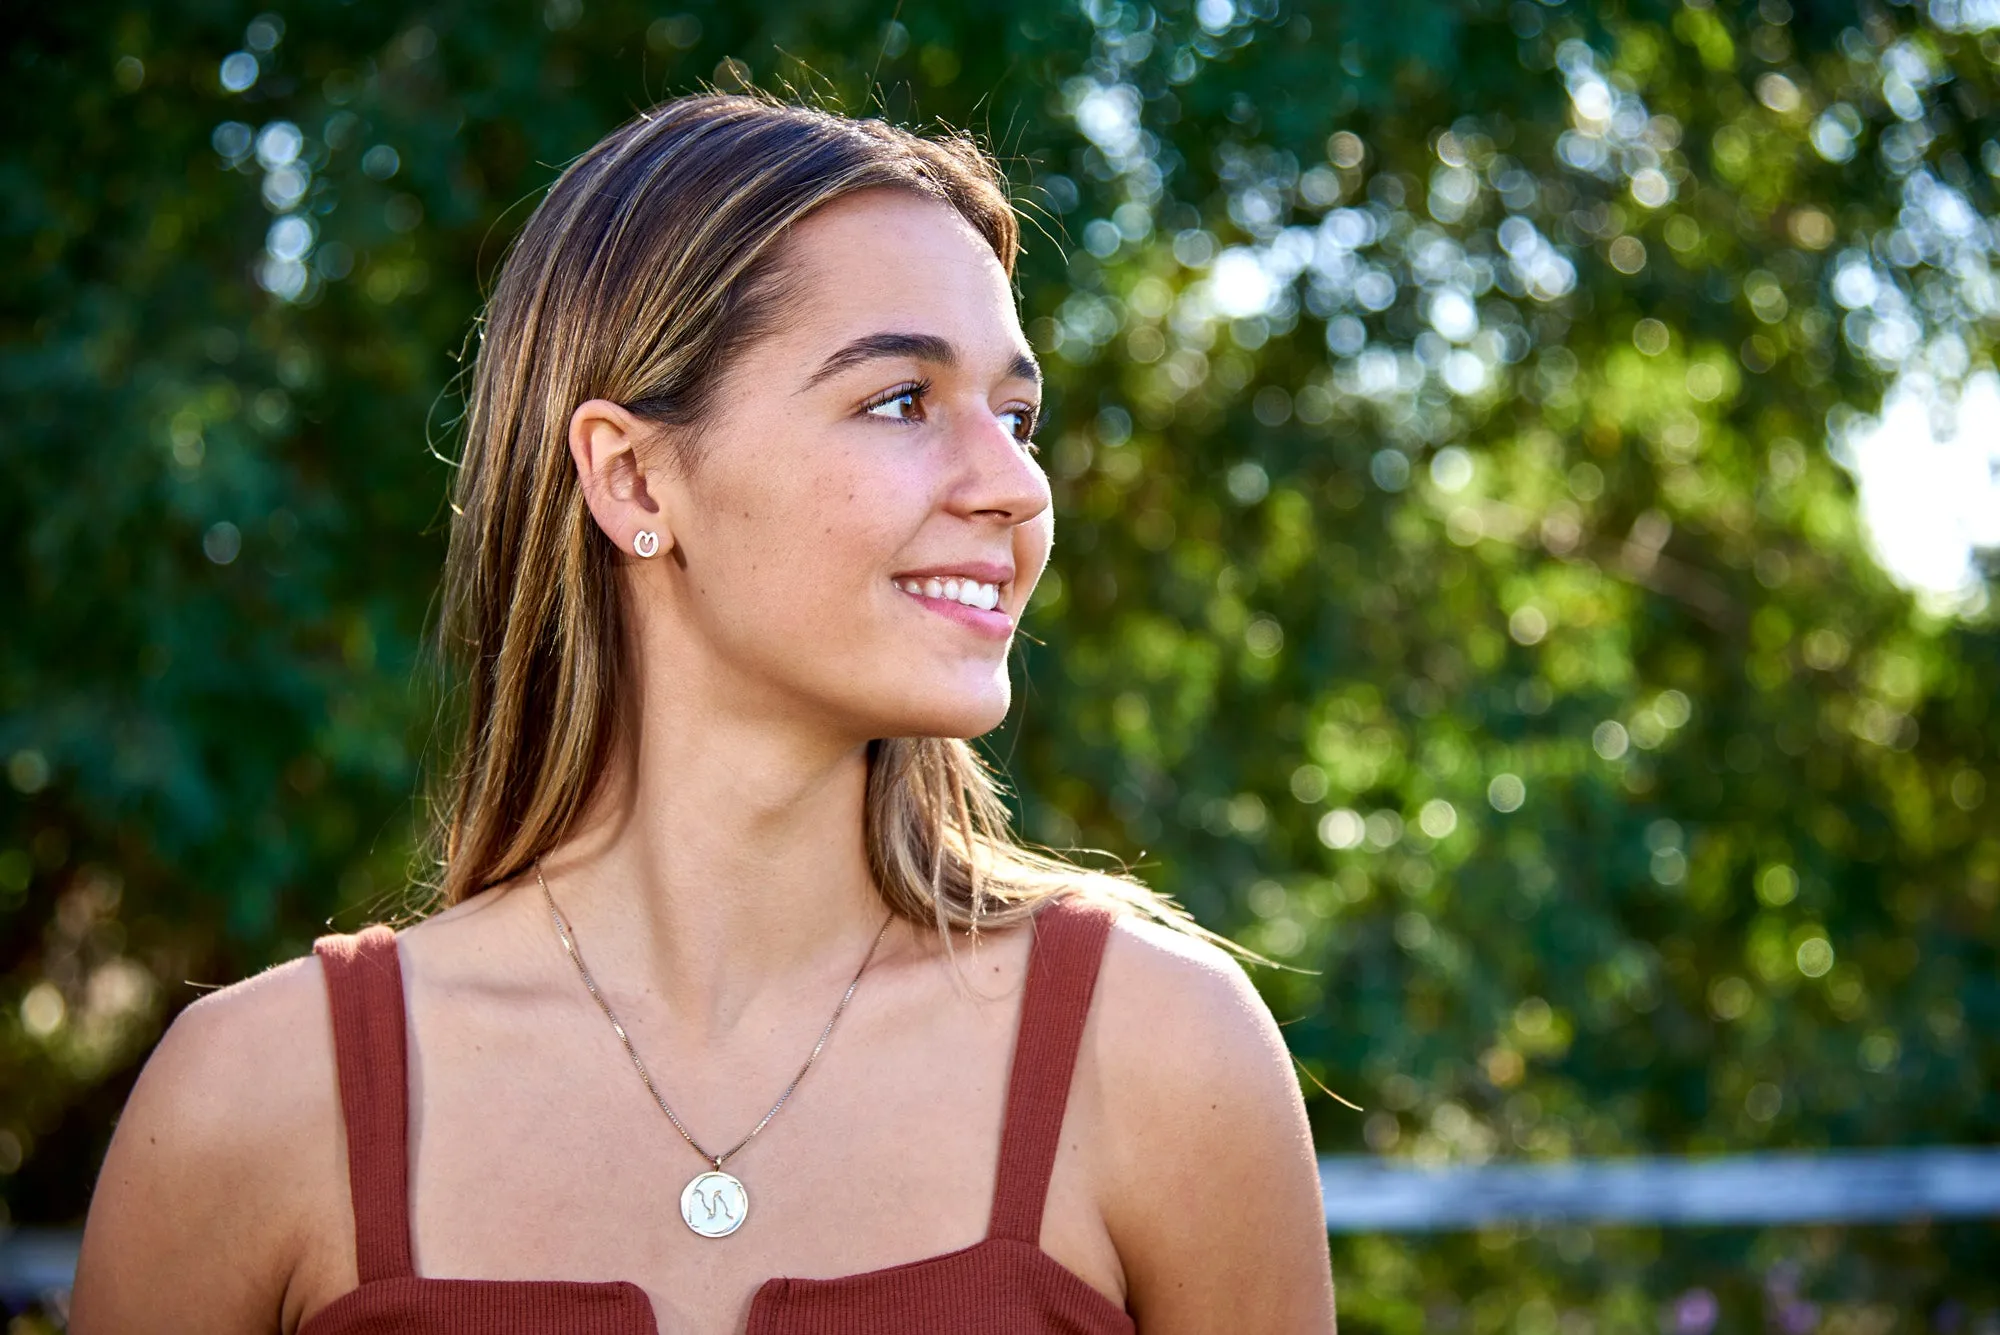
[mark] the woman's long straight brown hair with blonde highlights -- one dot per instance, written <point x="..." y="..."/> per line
<point x="649" y="265"/>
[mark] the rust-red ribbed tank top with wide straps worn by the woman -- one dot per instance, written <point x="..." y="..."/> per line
<point x="999" y="1286"/>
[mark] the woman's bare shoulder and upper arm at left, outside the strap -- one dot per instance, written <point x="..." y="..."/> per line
<point x="199" y="1210"/>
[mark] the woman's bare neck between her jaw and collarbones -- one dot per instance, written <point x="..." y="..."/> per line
<point x="723" y="864"/>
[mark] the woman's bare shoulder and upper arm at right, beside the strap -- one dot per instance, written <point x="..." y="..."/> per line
<point x="1213" y="1192"/>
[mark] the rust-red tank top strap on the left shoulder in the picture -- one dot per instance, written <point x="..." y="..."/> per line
<point x="365" y="990"/>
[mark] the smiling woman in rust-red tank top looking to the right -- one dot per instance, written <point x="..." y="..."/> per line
<point x="747" y="517"/>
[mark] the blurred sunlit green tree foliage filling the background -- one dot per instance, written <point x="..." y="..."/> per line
<point x="1455" y="593"/>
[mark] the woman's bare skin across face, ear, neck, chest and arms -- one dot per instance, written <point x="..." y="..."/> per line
<point x="723" y="902"/>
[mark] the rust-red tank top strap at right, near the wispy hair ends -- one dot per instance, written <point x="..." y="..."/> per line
<point x="1063" y="972"/>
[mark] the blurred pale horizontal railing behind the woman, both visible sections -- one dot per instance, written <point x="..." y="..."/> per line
<point x="1387" y="1196"/>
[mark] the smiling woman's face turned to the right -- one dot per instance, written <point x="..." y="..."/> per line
<point x="867" y="519"/>
